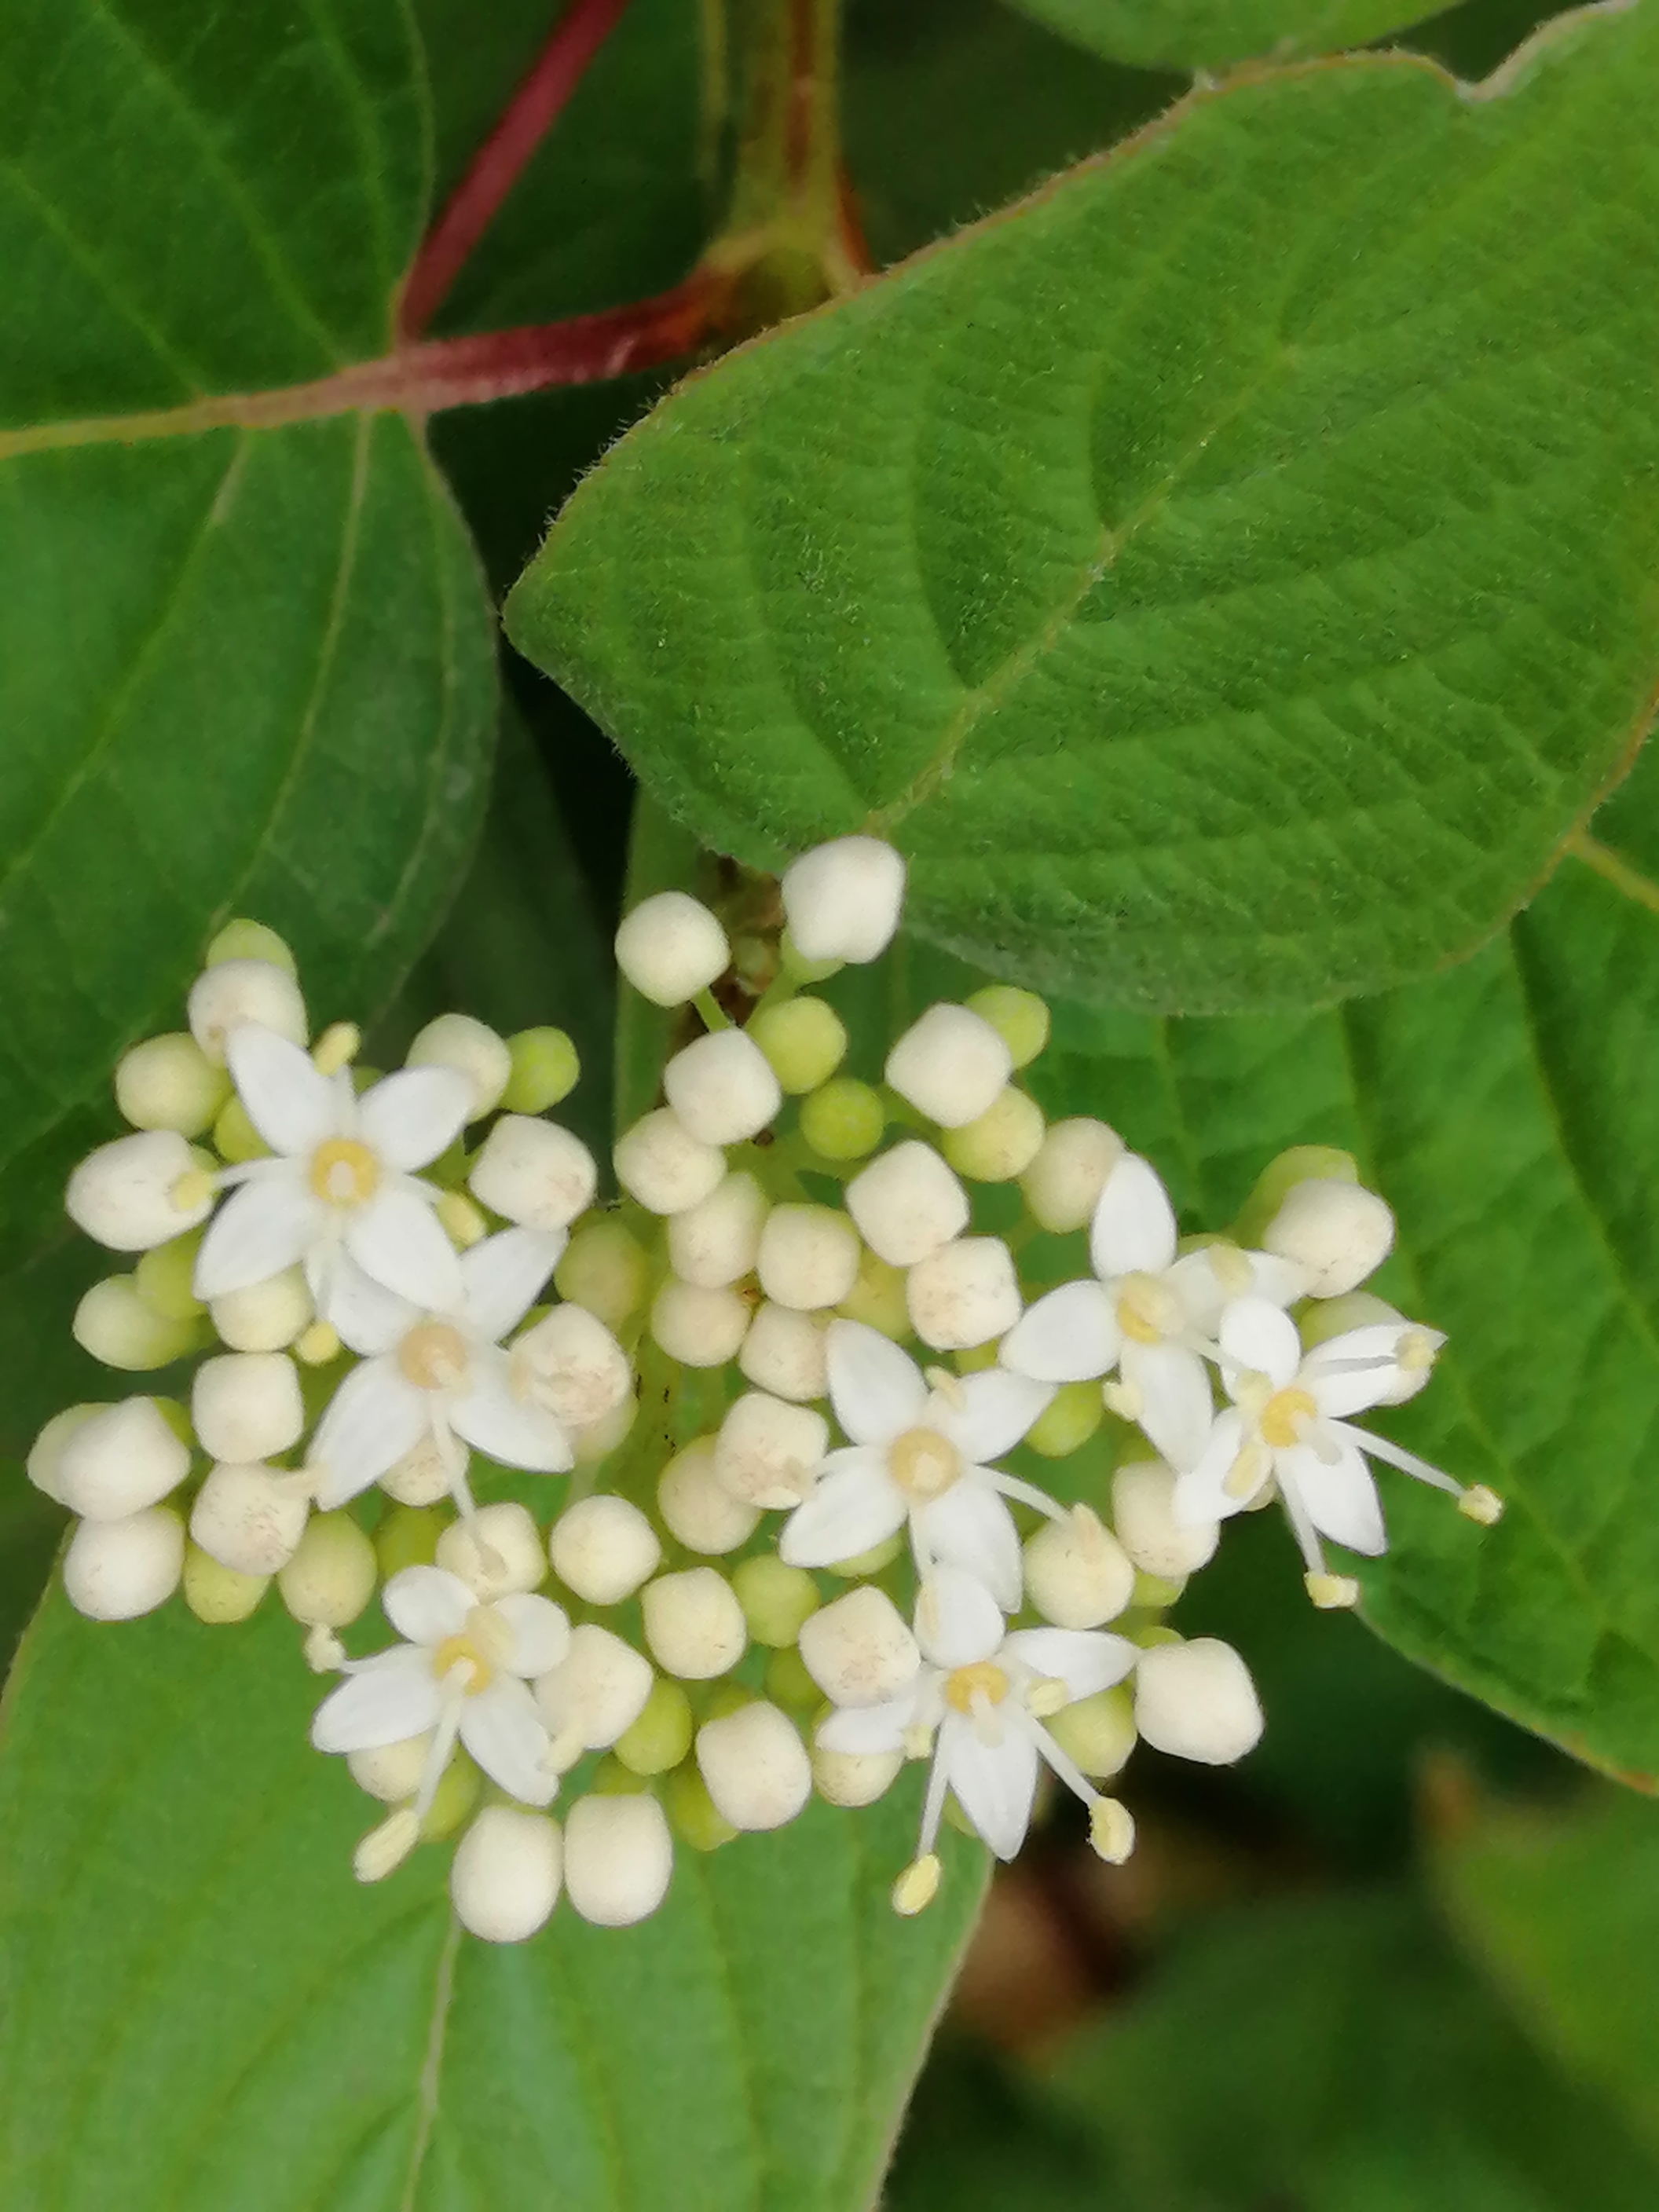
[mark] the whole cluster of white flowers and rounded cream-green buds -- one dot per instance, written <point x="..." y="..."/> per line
<point x="782" y="1377"/>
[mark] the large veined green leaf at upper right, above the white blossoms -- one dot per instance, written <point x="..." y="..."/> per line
<point x="1227" y="576"/>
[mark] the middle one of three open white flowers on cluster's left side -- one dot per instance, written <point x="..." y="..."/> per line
<point x="444" y="1377"/>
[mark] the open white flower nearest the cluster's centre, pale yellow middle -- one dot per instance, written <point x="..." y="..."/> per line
<point x="919" y="1457"/>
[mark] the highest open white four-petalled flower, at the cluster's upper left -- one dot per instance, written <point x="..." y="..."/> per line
<point x="340" y="1196"/>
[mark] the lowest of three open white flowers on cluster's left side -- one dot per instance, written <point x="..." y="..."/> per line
<point x="463" y="1671"/>
